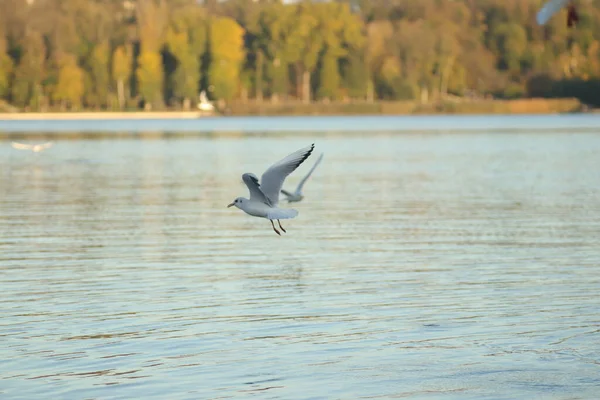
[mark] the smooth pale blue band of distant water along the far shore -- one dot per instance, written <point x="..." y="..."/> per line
<point x="360" y="124"/>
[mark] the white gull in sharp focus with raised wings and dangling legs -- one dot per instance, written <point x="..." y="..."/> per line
<point x="265" y="196"/>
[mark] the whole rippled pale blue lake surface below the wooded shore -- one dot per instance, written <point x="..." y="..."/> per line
<point x="425" y="263"/>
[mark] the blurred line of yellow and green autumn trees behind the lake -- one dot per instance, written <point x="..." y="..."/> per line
<point x="124" y="54"/>
